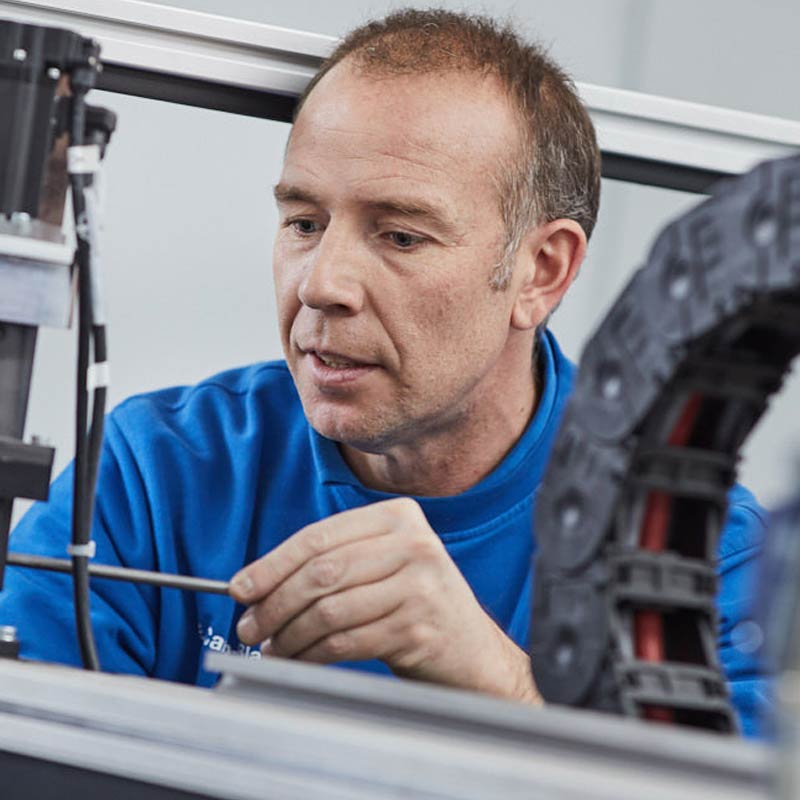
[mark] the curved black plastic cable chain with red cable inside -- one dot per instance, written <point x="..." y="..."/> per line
<point x="632" y="503"/>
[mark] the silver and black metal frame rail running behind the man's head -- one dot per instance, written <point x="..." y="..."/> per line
<point x="249" y="68"/>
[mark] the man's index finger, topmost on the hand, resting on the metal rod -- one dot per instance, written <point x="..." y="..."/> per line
<point x="262" y="576"/>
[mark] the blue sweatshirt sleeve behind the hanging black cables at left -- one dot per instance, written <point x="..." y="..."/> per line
<point x="124" y="616"/>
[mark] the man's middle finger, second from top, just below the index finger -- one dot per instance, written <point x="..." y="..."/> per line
<point x="354" y="564"/>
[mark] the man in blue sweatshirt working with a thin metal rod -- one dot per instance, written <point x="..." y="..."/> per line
<point x="375" y="500"/>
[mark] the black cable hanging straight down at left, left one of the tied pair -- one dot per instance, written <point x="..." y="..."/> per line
<point x="82" y="497"/>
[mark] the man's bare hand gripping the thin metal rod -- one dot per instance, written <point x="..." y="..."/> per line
<point x="376" y="582"/>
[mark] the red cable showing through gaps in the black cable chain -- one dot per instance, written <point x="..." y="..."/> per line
<point x="649" y="625"/>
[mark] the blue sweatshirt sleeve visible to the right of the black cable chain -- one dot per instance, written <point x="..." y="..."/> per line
<point x="739" y="642"/>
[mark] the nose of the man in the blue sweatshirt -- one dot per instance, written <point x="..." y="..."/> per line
<point x="333" y="278"/>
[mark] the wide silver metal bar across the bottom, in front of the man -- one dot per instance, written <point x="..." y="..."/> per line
<point x="287" y="743"/>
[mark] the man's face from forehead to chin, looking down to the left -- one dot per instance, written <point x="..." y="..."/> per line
<point x="389" y="231"/>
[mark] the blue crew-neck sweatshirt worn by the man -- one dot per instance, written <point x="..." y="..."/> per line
<point x="202" y="480"/>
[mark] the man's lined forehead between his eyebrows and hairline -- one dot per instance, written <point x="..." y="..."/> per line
<point x="452" y="129"/>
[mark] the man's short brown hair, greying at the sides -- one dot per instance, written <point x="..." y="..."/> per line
<point x="556" y="171"/>
